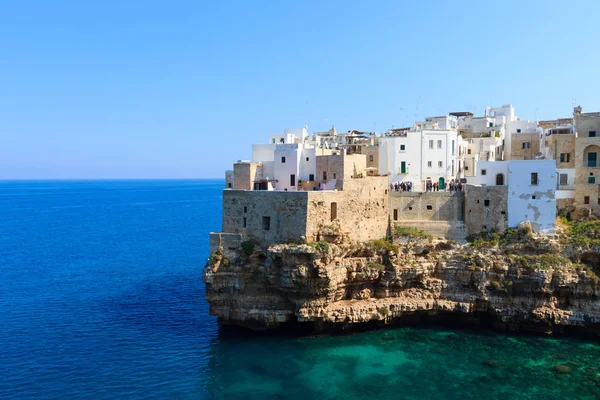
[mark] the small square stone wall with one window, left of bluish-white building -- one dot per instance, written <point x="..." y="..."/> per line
<point x="486" y="208"/>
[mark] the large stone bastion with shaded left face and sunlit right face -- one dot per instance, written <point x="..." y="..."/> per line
<point x="359" y="212"/>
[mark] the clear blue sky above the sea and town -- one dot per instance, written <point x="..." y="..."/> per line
<point x="181" y="89"/>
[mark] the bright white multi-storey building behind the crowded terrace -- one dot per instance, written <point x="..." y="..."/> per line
<point x="420" y="156"/>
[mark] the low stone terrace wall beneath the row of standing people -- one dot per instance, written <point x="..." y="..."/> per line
<point x="419" y="206"/>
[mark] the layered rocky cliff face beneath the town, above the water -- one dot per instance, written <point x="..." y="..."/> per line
<point x="518" y="282"/>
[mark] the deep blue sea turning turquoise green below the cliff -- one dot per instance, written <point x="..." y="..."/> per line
<point x="101" y="297"/>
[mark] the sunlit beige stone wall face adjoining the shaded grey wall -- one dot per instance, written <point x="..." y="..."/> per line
<point x="360" y="210"/>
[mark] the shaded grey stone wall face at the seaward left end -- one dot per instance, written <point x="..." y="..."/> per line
<point x="268" y="216"/>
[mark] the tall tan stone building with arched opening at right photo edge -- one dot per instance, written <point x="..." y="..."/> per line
<point x="587" y="164"/>
